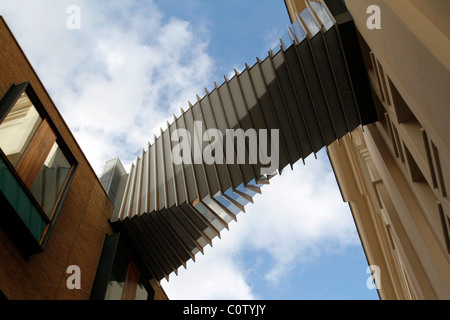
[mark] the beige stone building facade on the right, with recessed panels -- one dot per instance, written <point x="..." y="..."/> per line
<point x="394" y="173"/>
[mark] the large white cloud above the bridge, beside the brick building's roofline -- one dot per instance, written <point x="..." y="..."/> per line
<point x="119" y="77"/>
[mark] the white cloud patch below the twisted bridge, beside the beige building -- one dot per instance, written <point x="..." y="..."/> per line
<point x="299" y="217"/>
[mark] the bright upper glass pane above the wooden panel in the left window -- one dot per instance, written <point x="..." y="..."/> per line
<point x="17" y="129"/>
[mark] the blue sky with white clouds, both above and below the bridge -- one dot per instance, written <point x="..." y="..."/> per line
<point x="130" y="66"/>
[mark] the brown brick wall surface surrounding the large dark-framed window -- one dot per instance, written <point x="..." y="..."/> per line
<point x="79" y="232"/>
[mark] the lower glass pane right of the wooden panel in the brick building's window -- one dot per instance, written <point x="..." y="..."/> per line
<point x="51" y="179"/>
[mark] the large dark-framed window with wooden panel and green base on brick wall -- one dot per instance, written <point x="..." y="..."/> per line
<point x="35" y="162"/>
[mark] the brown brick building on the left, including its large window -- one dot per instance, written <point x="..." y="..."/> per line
<point x="54" y="209"/>
